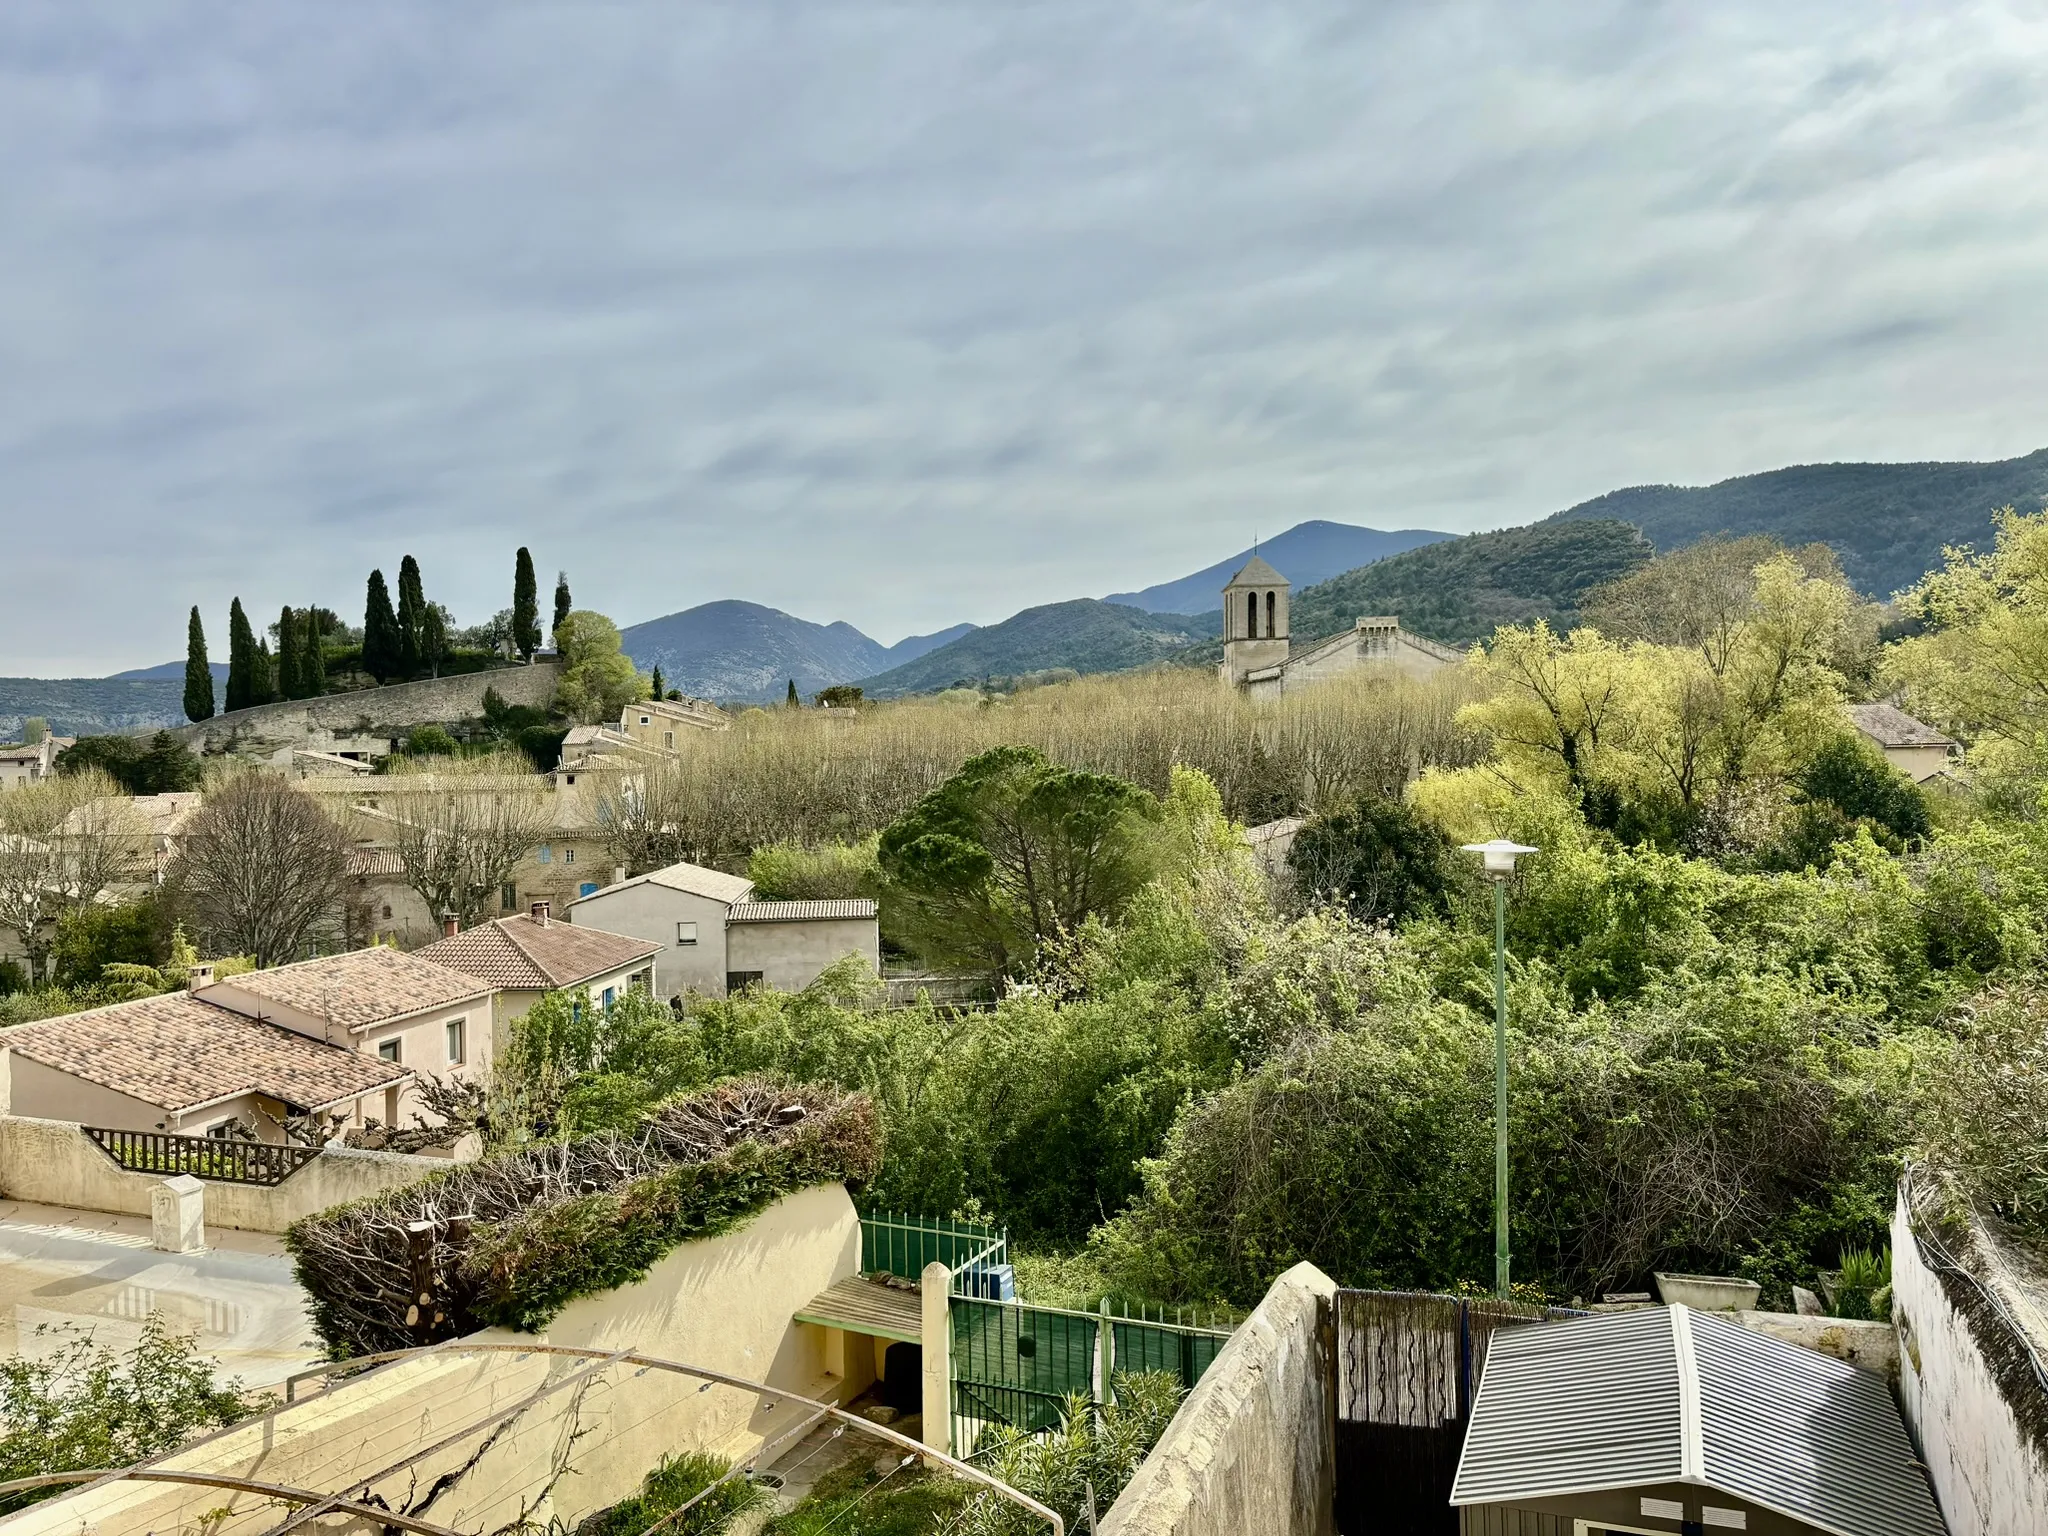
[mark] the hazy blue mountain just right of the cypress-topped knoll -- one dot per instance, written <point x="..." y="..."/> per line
<point x="742" y="650"/>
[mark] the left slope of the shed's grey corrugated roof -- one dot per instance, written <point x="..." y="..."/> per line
<point x="1588" y="1404"/>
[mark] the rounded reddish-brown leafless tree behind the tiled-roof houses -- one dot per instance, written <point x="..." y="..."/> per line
<point x="263" y="871"/>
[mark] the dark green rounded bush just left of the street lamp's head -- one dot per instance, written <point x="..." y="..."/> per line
<point x="1379" y="857"/>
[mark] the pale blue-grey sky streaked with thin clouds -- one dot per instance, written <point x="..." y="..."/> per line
<point x="914" y="314"/>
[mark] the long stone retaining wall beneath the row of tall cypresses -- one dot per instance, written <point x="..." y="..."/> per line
<point x="384" y="714"/>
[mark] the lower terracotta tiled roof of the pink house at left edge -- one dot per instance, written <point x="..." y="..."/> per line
<point x="179" y="1054"/>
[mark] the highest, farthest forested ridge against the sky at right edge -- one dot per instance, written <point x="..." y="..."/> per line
<point x="1887" y="523"/>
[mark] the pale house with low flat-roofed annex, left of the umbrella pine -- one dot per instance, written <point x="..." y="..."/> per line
<point x="716" y="939"/>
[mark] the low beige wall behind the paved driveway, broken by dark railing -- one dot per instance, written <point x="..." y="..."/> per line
<point x="56" y="1164"/>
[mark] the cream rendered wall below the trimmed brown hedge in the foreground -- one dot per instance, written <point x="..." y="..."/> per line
<point x="724" y="1304"/>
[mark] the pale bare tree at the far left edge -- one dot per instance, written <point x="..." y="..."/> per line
<point x="65" y="843"/>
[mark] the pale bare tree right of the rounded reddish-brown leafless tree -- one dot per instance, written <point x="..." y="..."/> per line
<point x="462" y="828"/>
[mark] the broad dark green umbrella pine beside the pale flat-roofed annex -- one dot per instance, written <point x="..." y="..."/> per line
<point x="1011" y="853"/>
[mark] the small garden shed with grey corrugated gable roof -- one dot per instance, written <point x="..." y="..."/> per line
<point x="1676" y="1422"/>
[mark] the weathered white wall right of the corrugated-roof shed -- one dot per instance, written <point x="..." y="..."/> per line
<point x="1988" y="1476"/>
